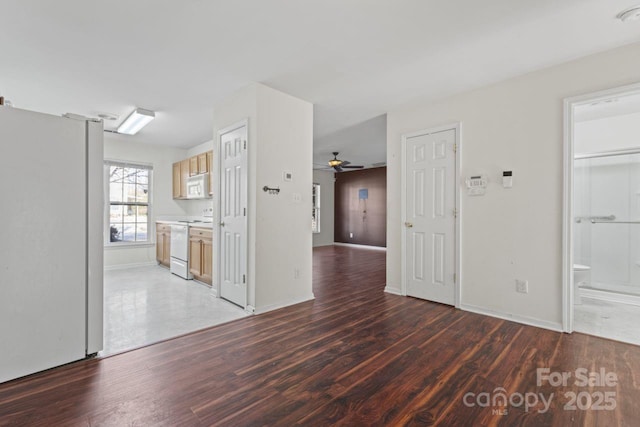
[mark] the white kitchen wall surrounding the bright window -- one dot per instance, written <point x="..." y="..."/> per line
<point x="163" y="205"/>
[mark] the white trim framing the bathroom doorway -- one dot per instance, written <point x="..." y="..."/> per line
<point x="567" y="198"/>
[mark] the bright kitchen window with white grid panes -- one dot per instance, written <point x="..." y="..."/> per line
<point x="128" y="203"/>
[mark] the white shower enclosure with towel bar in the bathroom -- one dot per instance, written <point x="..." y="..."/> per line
<point x="607" y="219"/>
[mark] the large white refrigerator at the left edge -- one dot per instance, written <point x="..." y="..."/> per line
<point x="51" y="262"/>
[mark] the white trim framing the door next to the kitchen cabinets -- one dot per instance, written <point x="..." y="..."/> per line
<point x="238" y="125"/>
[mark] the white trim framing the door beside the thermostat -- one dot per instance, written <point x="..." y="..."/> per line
<point x="457" y="287"/>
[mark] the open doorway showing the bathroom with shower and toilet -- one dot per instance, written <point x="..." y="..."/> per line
<point x="603" y="260"/>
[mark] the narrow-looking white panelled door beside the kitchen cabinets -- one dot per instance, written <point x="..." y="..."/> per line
<point x="233" y="215"/>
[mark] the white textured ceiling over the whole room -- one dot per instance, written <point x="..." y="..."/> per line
<point x="355" y="60"/>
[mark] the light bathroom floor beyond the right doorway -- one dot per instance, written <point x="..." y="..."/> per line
<point x="620" y="322"/>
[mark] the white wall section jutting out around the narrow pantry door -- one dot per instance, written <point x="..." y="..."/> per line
<point x="280" y="138"/>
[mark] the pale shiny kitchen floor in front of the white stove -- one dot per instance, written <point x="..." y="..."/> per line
<point x="144" y="305"/>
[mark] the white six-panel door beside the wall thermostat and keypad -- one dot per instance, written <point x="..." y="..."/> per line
<point x="430" y="169"/>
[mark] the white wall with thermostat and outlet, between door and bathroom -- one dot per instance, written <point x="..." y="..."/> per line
<point x="516" y="233"/>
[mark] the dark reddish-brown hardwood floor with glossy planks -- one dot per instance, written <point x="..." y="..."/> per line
<point x="354" y="356"/>
